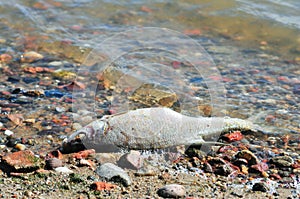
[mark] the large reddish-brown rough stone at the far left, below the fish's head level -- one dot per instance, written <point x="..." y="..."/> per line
<point x="20" y="161"/>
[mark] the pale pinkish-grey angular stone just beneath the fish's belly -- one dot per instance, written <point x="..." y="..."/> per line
<point x="132" y="160"/>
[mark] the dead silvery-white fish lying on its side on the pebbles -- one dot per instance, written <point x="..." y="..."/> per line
<point x="156" y="128"/>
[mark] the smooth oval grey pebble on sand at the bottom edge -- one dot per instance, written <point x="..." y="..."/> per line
<point x="171" y="191"/>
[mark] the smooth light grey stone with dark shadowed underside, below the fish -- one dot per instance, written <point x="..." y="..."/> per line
<point x="114" y="173"/>
